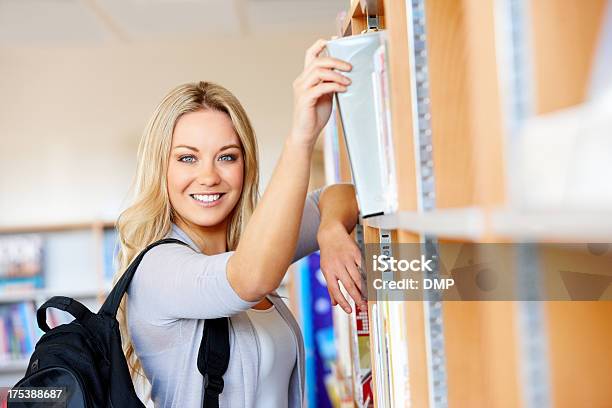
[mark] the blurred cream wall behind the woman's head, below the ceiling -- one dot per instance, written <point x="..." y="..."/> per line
<point x="71" y="118"/>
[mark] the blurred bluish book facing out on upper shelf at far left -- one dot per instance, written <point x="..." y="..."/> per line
<point x="21" y="262"/>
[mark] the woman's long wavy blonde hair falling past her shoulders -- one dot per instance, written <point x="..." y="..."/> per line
<point x="150" y="216"/>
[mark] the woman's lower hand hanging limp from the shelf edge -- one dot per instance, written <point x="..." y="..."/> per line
<point x="340" y="261"/>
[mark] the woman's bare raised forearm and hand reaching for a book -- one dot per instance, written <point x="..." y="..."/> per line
<point x="268" y="243"/>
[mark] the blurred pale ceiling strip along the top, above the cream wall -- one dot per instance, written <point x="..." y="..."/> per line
<point x="88" y="22"/>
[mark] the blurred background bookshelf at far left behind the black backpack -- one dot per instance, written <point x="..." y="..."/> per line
<point x="38" y="262"/>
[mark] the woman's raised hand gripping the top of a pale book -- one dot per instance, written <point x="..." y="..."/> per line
<point x="313" y="91"/>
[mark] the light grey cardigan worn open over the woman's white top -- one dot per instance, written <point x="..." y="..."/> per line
<point x="174" y="289"/>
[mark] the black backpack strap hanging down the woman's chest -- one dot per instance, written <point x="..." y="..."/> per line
<point x="213" y="359"/>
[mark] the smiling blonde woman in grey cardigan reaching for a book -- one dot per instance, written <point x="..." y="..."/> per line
<point x="197" y="181"/>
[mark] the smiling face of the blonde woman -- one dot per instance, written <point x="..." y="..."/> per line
<point x="206" y="168"/>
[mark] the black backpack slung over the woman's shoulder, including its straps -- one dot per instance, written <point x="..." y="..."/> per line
<point x="85" y="357"/>
